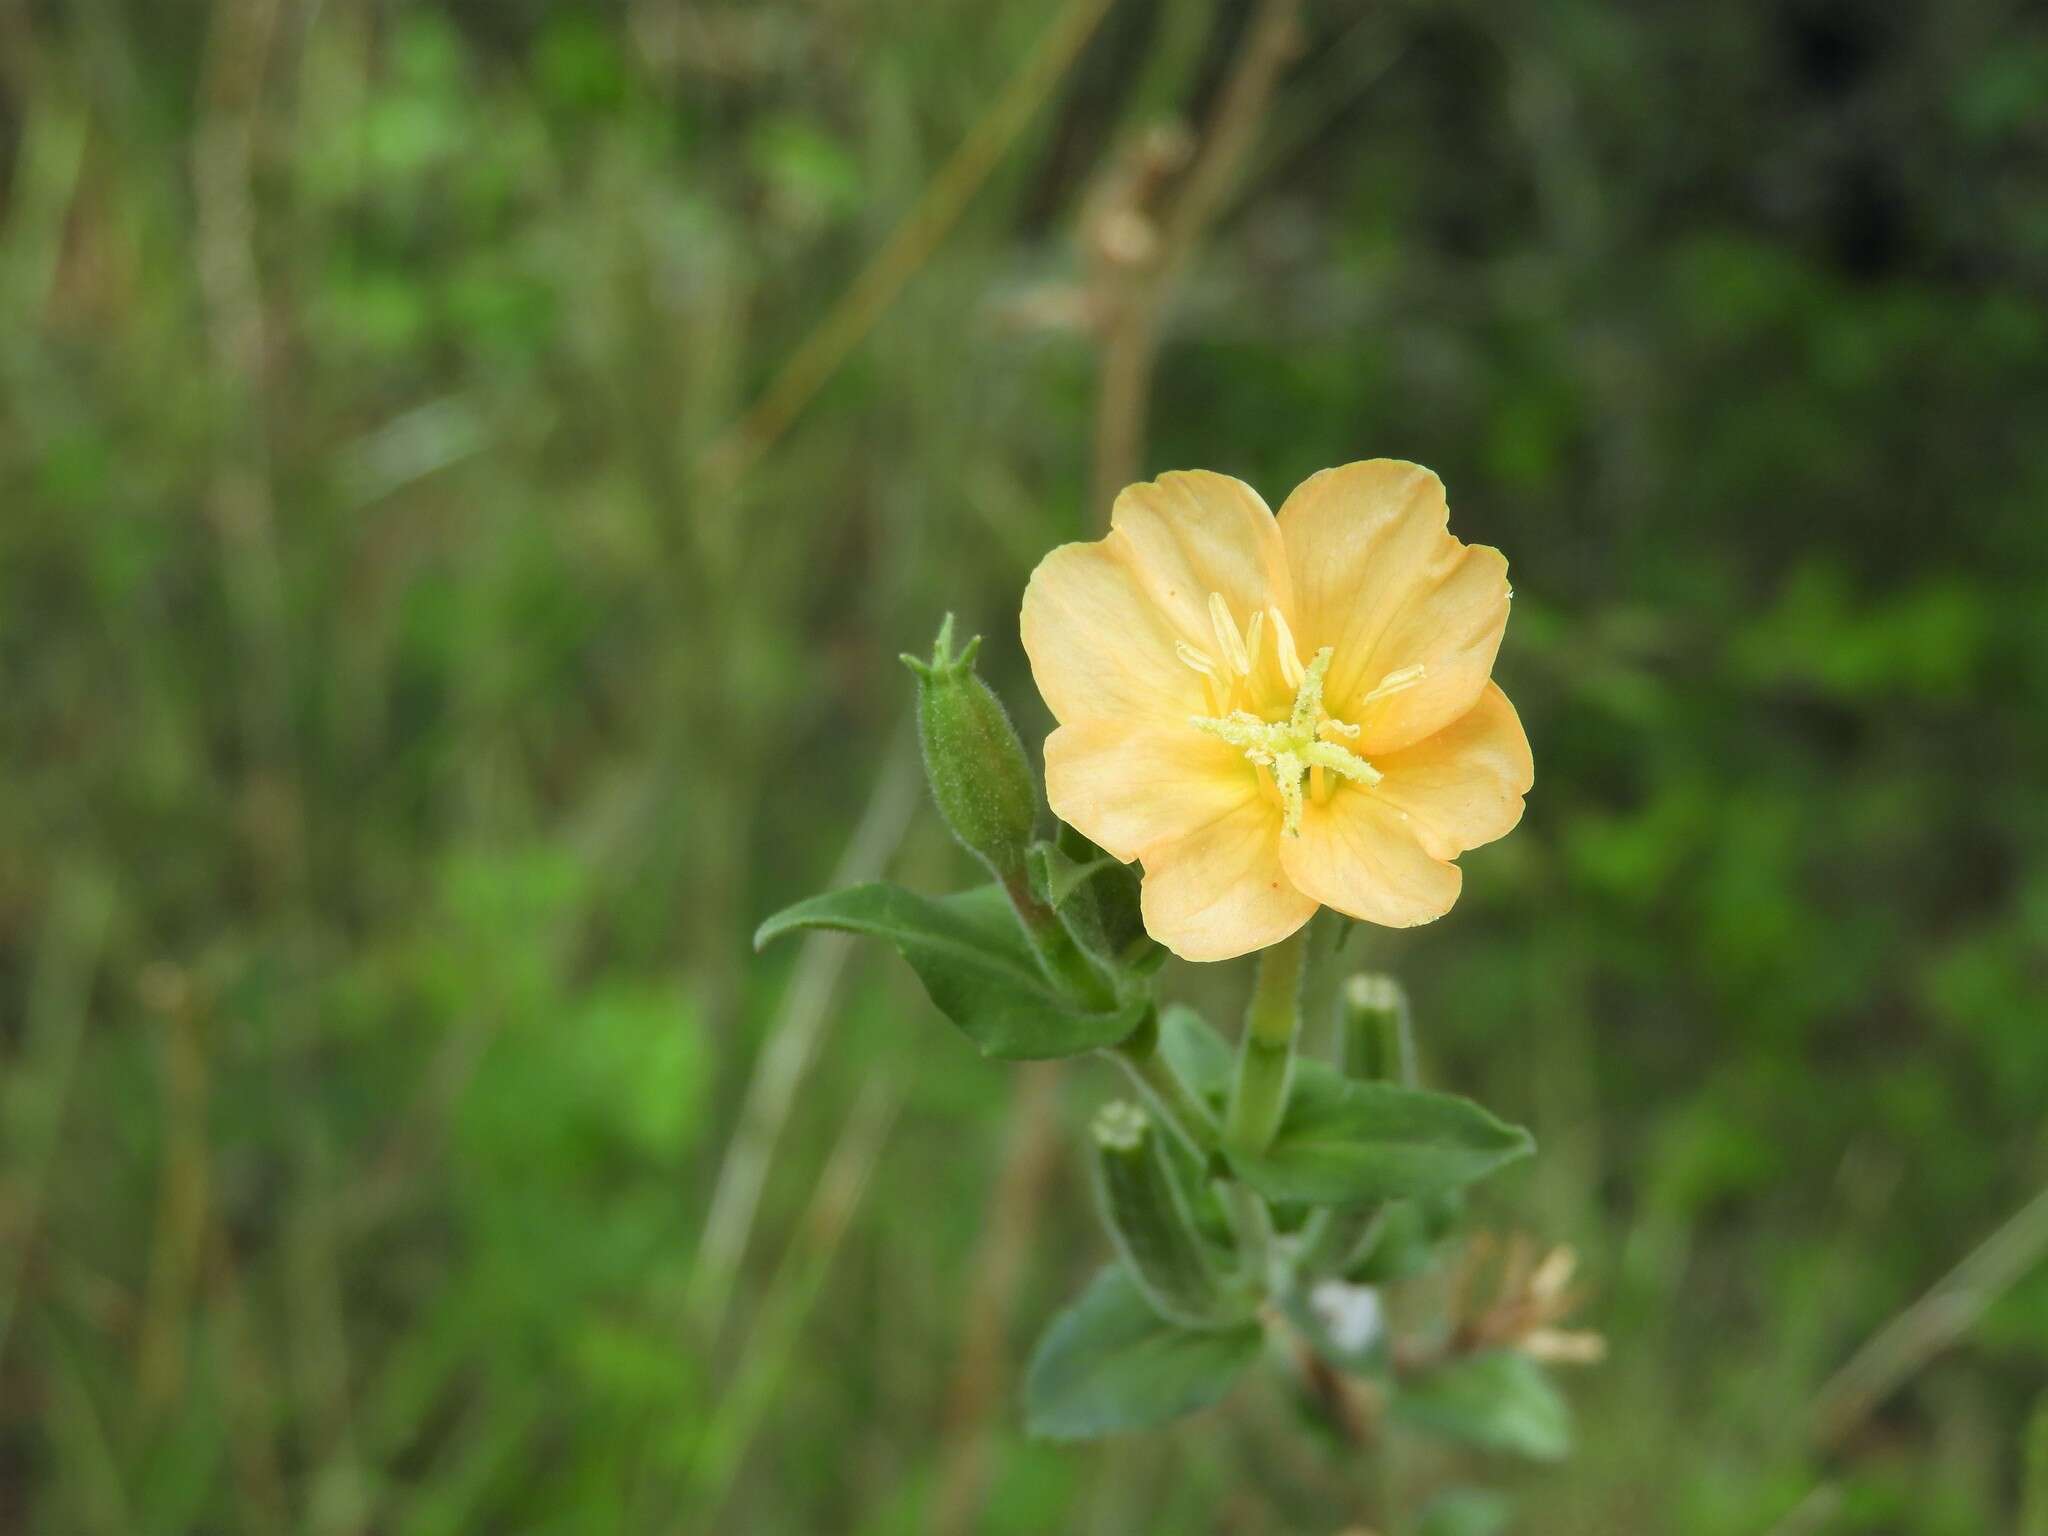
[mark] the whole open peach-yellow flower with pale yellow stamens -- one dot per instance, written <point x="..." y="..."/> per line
<point x="1277" y="714"/>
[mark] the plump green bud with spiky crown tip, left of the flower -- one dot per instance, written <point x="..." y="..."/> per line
<point x="974" y="759"/>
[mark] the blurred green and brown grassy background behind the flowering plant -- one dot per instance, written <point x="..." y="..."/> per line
<point x="419" y="673"/>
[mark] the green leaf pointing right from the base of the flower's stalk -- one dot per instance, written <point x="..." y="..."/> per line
<point x="1347" y="1142"/>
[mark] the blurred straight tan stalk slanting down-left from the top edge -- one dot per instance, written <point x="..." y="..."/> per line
<point x="908" y="249"/>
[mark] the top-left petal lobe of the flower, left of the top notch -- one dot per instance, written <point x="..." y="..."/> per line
<point x="1191" y="534"/>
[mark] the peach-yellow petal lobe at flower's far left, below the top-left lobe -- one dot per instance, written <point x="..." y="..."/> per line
<point x="1097" y="644"/>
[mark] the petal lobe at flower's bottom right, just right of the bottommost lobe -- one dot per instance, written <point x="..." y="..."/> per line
<point x="1357" y="855"/>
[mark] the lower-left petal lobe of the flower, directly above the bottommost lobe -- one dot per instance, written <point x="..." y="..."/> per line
<point x="1134" y="787"/>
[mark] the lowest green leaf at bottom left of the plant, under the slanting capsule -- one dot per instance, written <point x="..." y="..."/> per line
<point x="1111" y="1363"/>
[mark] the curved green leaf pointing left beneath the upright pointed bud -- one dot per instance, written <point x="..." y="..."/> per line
<point x="974" y="964"/>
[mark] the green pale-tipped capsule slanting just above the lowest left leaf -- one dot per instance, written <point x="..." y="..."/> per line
<point x="1150" y="1220"/>
